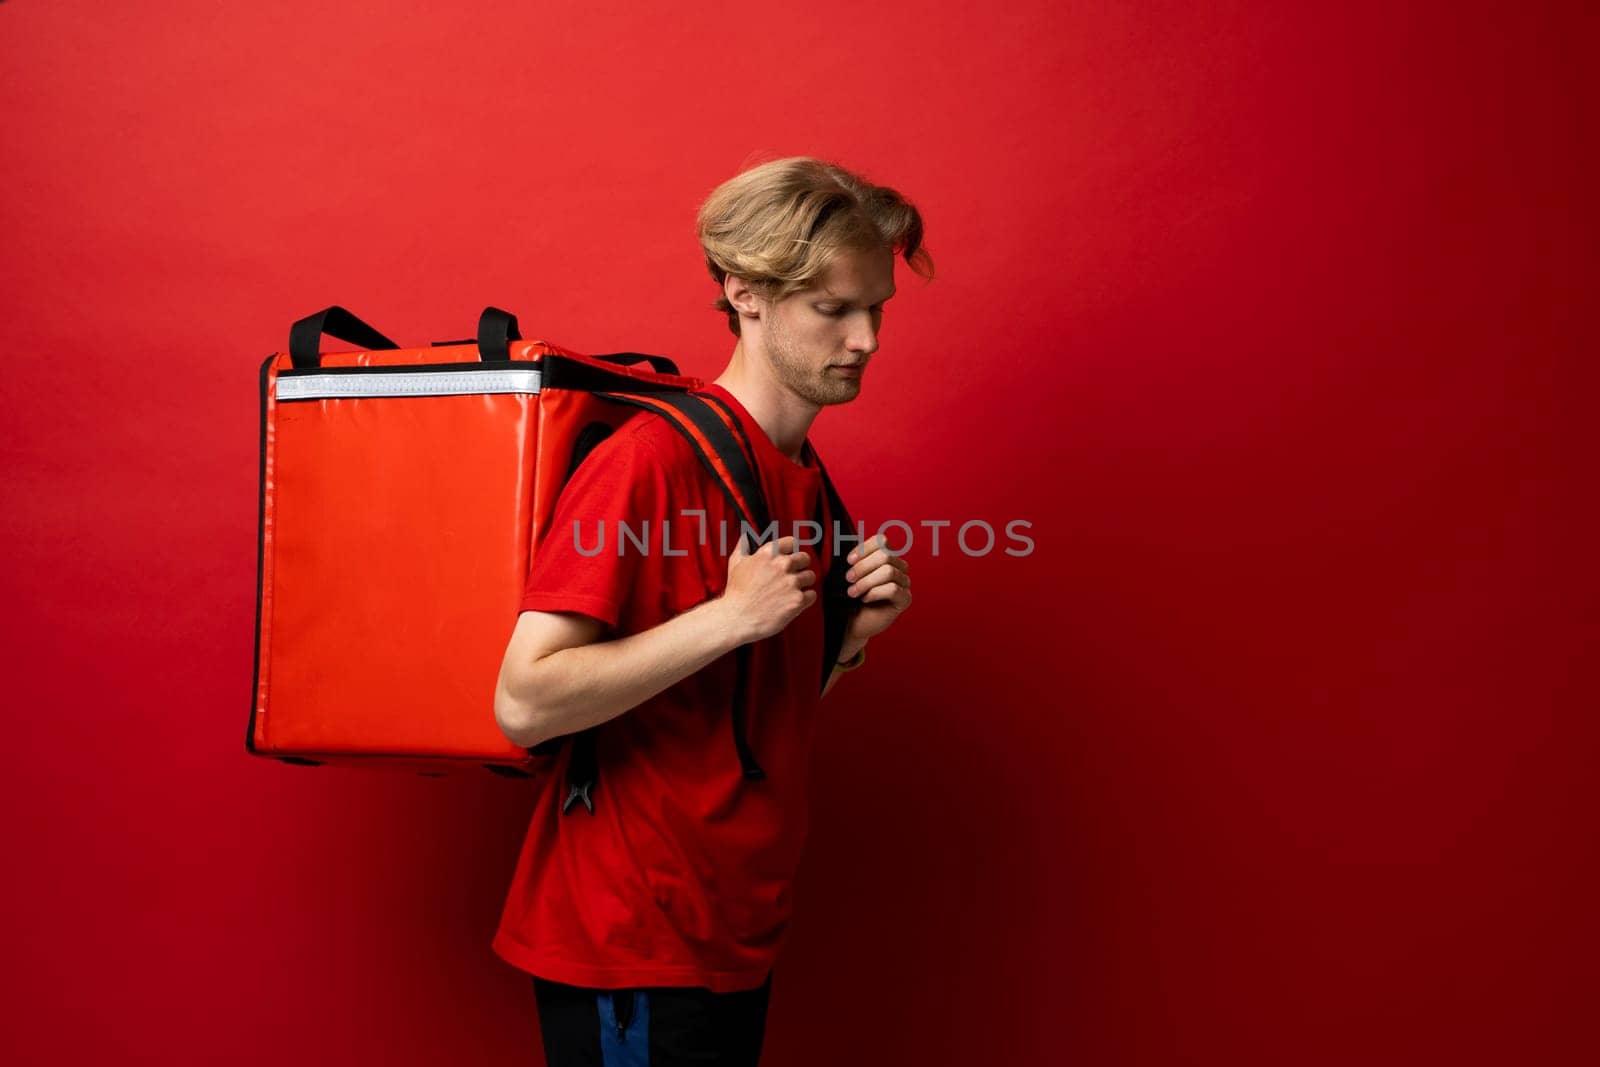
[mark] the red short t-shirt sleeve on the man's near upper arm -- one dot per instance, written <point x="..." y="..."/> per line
<point x="586" y="561"/>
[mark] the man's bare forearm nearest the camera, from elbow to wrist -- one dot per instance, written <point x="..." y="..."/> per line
<point x="583" y="687"/>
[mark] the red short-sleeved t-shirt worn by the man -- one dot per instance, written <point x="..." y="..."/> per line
<point x="682" y="876"/>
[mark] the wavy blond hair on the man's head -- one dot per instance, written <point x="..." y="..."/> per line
<point x="778" y="226"/>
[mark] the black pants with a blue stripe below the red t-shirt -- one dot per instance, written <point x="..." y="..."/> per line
<point x="650" y="1028"/>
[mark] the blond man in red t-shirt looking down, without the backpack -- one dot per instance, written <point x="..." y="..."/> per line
<point x="652" y="922"/>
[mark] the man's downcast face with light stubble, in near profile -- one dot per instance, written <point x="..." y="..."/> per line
<point x="820" y="340"/>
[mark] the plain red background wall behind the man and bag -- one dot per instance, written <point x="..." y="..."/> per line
<point x="1270" y="318"/>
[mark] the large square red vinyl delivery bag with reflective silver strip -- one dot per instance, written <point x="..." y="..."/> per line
<point x="402" y="497"/>
